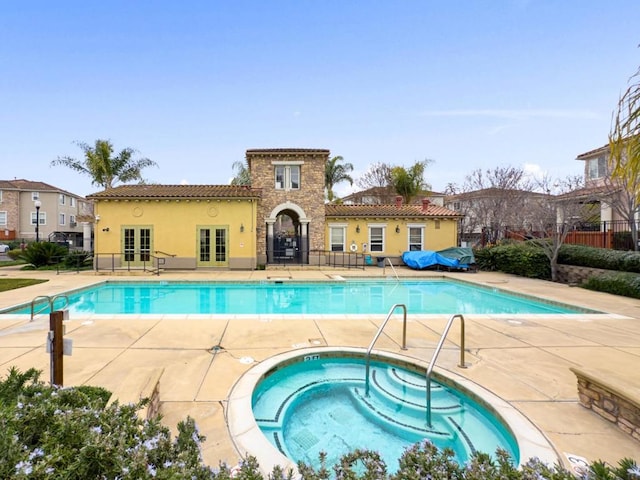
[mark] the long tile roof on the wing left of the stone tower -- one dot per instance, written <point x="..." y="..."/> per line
<point x="176" y="191"/>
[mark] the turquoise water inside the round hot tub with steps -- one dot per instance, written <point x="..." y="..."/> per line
<point x="320" y="405"/>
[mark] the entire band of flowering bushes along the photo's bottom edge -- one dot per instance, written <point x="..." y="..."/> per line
<point x="71" y="433"/>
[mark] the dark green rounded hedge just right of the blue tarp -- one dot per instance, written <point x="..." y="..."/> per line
<point x="524" y="258"/>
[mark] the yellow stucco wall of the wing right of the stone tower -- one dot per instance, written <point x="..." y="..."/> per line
<point x="438" y="234"/>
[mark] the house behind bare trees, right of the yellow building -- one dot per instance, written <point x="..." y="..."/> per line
<point x="491" y="214"/>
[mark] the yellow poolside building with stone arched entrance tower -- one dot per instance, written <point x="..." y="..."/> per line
<point x="280" y="218"/>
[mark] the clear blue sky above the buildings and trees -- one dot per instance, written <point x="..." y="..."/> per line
<point x="193" y="84"/>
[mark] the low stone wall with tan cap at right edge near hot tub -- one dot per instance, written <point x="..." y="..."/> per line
<point x="611" y="399"/>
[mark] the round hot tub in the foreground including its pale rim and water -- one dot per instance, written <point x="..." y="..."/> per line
<point x="305" y="402"/>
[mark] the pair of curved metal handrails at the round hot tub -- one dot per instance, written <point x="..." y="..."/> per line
<point x="404" y="347"/>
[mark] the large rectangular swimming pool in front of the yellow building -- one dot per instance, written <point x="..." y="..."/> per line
<point x="432" y="296"/>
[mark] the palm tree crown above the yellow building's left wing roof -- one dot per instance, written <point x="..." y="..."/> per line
<point x="104" y="169"/>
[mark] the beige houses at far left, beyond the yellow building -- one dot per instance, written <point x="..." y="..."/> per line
<point x="61" y="216"/>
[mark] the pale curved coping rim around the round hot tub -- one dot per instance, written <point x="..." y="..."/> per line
<point x="248" y="439"/>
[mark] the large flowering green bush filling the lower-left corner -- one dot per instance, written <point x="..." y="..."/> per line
<point x="49" y="432"/>
